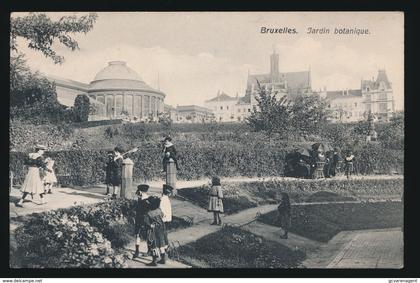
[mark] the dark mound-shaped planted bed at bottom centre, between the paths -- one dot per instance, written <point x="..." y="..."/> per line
<point x="235" y="248"/>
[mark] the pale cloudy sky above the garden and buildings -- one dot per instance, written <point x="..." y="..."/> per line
<point x="196" y="54"/>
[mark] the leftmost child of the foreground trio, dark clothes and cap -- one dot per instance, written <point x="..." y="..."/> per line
<point x="142" y="206"/>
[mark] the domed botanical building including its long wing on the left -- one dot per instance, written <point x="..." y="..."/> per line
<point x="116" y="91"/>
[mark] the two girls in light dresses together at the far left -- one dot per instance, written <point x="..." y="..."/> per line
<point x="40" y="178"/>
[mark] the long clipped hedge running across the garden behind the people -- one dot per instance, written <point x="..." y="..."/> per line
<point x="198" y="160"/>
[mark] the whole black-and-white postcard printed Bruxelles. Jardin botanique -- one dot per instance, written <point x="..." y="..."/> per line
<point x="206" y="140"/>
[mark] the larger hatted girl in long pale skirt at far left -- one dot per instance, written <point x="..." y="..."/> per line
<point x="33" y="184"/>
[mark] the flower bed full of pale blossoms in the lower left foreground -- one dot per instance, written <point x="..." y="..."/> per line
<point x="91" y="236"/>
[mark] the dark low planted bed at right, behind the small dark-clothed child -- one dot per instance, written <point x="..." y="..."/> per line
<point x="321" y="222"/>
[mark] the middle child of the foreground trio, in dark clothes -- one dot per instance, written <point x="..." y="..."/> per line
<point x="156" y="232"/>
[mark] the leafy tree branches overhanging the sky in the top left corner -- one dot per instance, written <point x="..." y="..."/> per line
<point x="41" y="32"/>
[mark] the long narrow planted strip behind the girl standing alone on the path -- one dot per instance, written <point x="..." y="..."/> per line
<point x="240" y="196"/>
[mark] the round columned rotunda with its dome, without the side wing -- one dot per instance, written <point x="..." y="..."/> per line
<point x="124" y="93"/>
